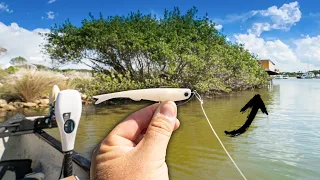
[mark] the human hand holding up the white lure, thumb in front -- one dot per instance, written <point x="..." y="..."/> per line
<point x="136" y="147"/>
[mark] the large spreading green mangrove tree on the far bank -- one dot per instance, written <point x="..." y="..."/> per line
<point x="181" y="49"/>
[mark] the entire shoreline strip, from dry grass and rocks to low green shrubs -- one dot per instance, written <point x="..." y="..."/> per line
<point x="33" y="86"/>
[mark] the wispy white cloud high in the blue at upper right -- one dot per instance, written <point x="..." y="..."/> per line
<point x="280" y="18"/>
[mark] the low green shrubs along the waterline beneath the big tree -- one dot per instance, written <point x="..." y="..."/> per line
<point x="107" y="83"/>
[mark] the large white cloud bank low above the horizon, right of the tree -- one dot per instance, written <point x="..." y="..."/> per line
<point x="305" y="54"/>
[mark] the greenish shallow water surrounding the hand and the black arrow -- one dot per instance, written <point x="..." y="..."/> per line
<point x="283" y="145"/>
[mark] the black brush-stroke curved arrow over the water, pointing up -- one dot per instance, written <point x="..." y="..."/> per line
<point x="255" y="104"/>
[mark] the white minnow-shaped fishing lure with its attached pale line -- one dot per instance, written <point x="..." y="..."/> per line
<point x="163" y="94"/>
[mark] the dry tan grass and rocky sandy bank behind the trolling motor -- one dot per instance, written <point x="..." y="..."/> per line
<point x="22" y="88"/>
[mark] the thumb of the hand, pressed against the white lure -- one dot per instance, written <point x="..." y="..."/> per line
<point x="158" y="134"/>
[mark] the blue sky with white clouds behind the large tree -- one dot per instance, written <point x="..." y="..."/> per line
<point x="286" y="32"/>
